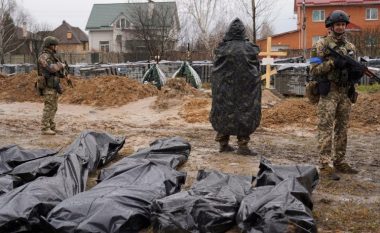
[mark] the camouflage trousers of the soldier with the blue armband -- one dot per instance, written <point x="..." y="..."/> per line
<point x="333" y="112"/>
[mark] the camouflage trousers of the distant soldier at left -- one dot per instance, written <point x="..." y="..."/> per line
<point x="50" y="108"/>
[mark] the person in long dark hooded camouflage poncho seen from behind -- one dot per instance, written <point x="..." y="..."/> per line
<point x="236" y="90"/>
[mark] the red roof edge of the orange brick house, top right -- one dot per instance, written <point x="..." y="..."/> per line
<point x="334" y="2"/>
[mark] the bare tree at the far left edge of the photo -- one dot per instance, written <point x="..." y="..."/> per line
<point x="11" y="37"/>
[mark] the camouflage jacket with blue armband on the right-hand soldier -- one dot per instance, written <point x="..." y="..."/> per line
<point x="324" y="68"/>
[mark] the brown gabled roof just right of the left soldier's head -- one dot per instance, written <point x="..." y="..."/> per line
<point x="78" y="36"/>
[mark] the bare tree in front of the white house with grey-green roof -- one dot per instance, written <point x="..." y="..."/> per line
<point x="156" y="26"/>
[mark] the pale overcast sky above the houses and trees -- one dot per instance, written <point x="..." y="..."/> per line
<point x="76" y="12"/>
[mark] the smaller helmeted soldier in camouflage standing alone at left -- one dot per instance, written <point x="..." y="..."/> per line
<point x="49" y="68"/>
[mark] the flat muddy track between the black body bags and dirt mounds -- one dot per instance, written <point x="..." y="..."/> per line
<point x="350" y="205"/>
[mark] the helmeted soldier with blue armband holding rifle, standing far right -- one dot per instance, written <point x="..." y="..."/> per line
<point x="334" y="104"/>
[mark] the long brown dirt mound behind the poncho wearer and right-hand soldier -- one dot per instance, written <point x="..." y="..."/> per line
<point x="292" y="111"/>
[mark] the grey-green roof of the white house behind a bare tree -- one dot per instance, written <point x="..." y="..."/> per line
<point x="103" y="15"/>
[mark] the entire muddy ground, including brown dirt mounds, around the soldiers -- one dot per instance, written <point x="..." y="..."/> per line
<point x="287" y="135"/>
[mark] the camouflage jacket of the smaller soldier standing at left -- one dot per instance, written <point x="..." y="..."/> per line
<point x="48" y="64"/>
